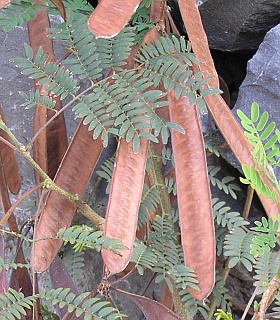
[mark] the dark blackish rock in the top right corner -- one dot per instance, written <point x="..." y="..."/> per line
<point x="238" y="25"/>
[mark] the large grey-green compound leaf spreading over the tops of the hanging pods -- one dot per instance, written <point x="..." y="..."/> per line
<point x="125" y="103"/>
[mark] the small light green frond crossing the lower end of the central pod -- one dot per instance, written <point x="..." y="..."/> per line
<point x="81" y="236"/>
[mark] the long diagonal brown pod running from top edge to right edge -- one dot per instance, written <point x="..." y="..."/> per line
<point x="224" y="119"/>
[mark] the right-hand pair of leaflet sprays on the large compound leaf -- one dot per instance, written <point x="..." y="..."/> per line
<point x="160" y="63"/>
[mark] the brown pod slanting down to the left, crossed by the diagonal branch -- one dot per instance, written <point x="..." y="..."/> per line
<point x="73" y="176"/>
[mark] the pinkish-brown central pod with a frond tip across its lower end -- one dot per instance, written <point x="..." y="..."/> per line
<point x="124" y="201"/>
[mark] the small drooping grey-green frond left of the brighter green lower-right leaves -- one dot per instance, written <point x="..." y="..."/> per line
<point x="237" y="248"/>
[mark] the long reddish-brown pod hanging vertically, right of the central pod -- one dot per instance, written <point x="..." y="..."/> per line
<point x="193" y="194"/>
